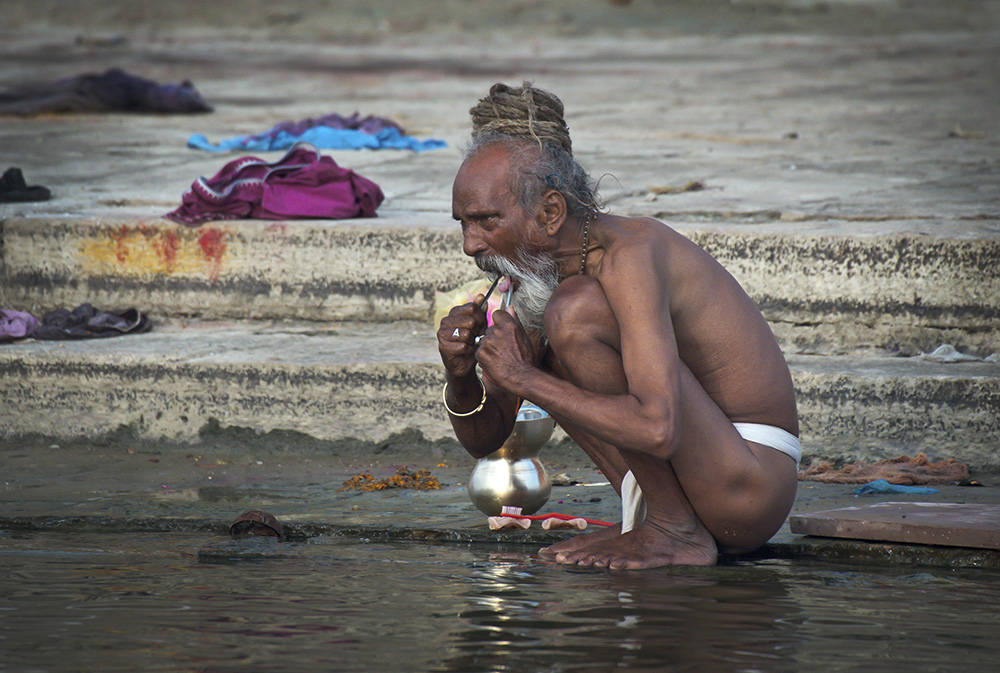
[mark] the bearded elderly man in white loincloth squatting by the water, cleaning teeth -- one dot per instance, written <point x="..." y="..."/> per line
<point x="640" y="345"/>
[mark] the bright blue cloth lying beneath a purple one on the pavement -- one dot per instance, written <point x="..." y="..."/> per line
<point x="321" y="137"/>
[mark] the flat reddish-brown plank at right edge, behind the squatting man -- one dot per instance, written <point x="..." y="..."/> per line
<point x="944" y="524"/>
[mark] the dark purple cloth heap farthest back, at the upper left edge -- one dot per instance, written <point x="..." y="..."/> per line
<point x="112" y="91"/>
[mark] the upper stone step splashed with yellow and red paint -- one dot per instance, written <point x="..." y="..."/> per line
<point x="821" y="288"/>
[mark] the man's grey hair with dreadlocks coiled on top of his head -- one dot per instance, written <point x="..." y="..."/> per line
<point x="529" y="123"/>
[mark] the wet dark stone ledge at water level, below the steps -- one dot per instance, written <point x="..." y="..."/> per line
<point x="111" y="490"/>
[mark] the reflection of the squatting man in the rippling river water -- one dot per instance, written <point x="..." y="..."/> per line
<point x="523" y="614"/>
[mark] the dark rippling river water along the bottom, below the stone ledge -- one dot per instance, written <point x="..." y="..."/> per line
<point x="72" y="601"/>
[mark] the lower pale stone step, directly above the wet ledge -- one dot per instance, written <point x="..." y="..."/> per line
<point x="365" y="383"/>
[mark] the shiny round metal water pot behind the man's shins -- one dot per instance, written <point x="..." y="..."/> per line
<point x="513" y="475"/>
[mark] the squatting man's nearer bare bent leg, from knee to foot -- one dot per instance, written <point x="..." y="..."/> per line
<point x="716" y="483"/>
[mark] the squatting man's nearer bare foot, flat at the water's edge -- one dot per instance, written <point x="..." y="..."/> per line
<point x="647" y="546"/>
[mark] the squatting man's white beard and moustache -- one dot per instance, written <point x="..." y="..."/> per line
<point x="537" y="276"/>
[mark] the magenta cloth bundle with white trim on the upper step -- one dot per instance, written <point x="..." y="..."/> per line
<point x="302" y="184"/>
